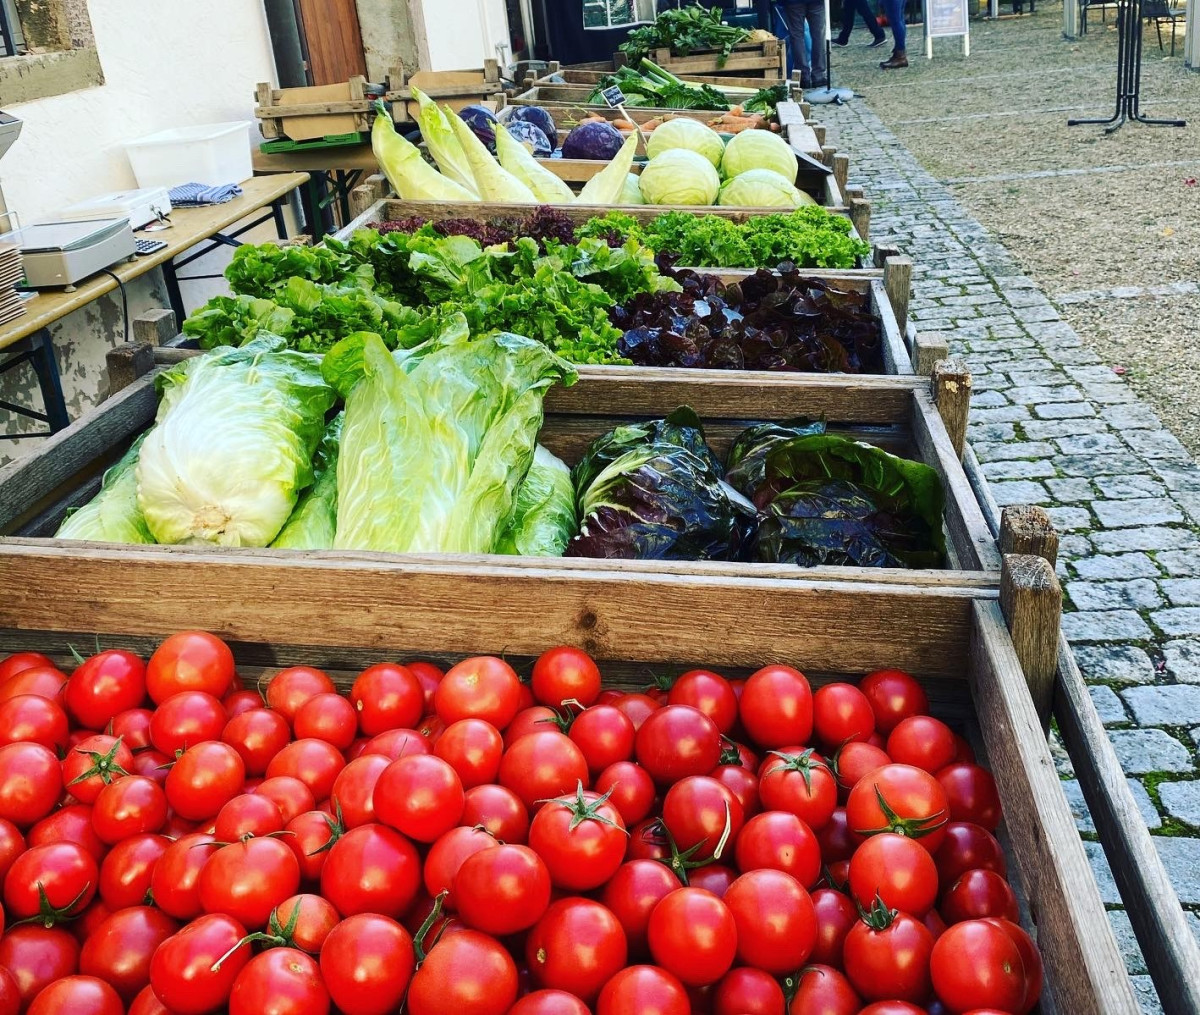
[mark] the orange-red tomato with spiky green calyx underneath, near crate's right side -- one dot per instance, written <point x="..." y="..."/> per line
<point x="903" y="800"/>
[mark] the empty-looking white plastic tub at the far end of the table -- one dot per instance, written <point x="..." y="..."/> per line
<point x="208" y="154"/>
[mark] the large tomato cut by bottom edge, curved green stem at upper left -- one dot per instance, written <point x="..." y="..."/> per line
<point x="467" y="974"/>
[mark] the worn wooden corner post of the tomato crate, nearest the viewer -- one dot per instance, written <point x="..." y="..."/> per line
<point x="1031" y="600"/>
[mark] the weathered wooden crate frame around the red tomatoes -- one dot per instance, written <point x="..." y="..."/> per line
<point x="289" y="609"/>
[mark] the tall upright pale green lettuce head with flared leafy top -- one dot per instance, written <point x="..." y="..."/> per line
<point x="439" y="440"/>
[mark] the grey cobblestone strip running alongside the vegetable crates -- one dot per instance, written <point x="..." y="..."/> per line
<point x="1053" y="425"/>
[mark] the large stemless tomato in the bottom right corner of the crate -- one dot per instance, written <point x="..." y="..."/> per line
<point x="977" y="965"/>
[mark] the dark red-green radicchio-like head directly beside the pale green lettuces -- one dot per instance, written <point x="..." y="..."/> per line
<point x="655" y="493"/>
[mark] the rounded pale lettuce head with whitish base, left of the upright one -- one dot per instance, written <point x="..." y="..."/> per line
<point x="233" y="445"/>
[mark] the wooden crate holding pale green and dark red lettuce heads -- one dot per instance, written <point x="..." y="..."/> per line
<point x="897" y="413"/>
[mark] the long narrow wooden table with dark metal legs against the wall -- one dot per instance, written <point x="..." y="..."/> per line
<point x="27" y="340"/>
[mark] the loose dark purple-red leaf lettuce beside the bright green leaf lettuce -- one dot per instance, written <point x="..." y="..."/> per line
<point x="773" y="322"/>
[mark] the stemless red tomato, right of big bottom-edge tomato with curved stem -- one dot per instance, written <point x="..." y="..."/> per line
<point x="578" y="946"/>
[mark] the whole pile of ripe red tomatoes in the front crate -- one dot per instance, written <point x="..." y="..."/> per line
<point x="473" y="845"/>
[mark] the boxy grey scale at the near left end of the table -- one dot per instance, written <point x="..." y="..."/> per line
<point x="63" y="254"/>
